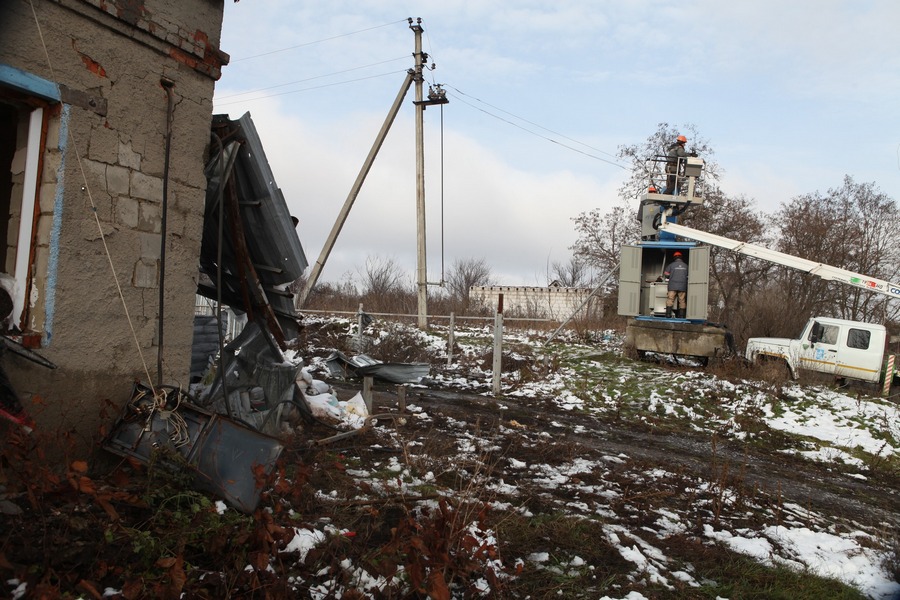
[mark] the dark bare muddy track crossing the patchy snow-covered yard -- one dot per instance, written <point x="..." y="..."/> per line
<point x="785" y="477"/>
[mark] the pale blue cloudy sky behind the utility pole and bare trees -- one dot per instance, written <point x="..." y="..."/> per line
<point x="792" y="95"/>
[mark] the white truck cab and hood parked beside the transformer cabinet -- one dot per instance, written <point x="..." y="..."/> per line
<point x="846" y="349"/>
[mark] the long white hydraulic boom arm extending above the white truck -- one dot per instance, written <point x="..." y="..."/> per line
<point x="821" y="270"/>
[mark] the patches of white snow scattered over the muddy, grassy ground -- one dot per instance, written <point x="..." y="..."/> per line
<point x="839" y="428"/>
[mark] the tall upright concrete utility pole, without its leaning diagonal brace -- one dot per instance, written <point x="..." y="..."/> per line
<point x="421" y="264"/>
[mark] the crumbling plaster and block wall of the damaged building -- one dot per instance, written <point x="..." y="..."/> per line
<point x="112" y="165"/>
